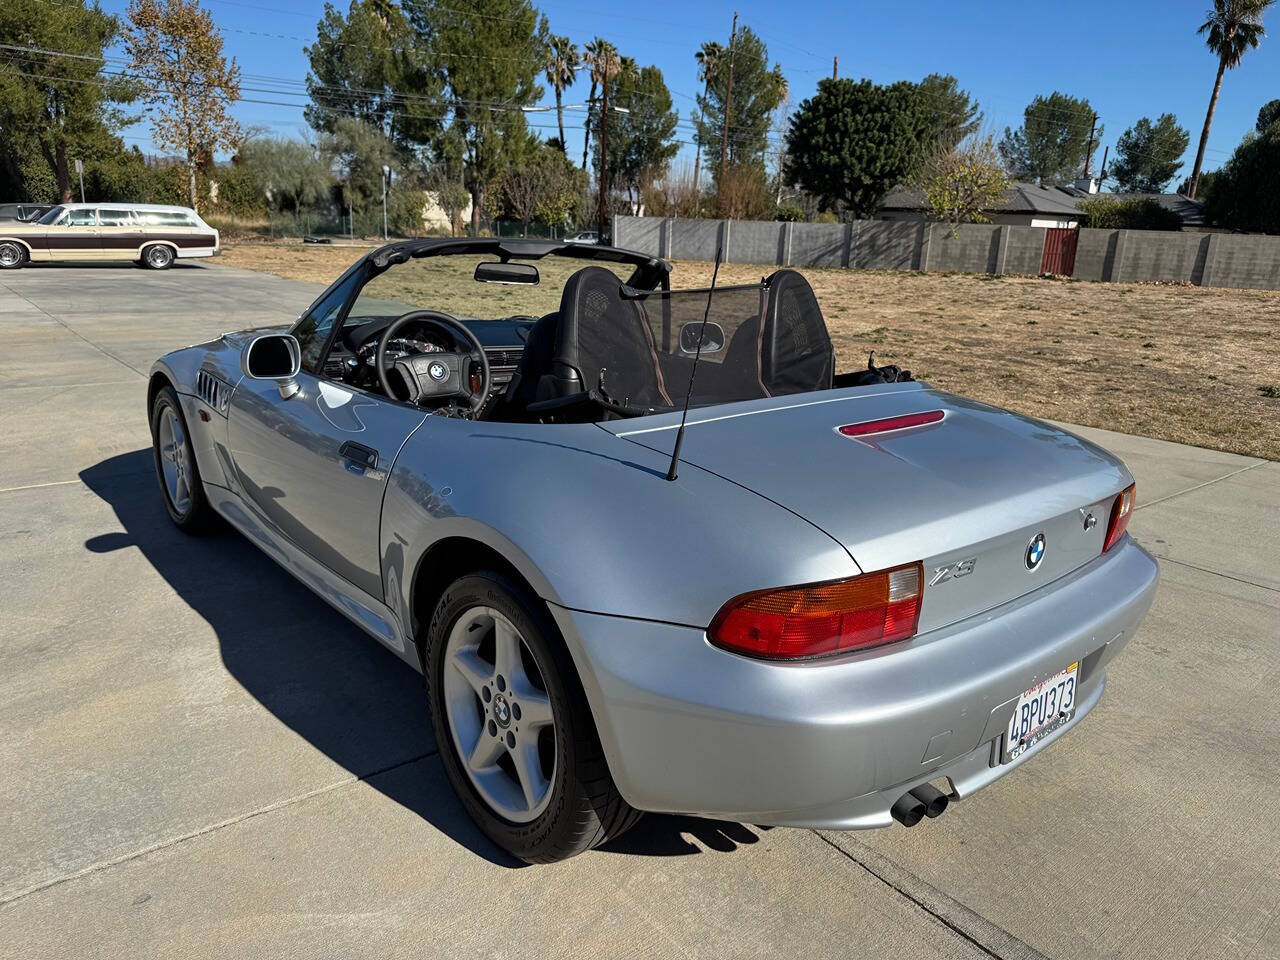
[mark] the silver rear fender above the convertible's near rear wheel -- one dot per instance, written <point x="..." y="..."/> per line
<point x="592" y="522"/>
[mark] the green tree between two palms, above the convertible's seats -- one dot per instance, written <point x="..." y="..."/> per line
<point x="642" y="129"/>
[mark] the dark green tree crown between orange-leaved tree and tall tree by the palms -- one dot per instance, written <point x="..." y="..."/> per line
<point x="372" y="66"/>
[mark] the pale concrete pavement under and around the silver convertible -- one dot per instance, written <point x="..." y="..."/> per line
<point x="202" y="760"/>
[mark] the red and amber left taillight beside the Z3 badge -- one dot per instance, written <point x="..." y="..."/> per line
<point x="822" y="619"/>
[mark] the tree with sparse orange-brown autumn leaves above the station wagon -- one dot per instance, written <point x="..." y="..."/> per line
<point x="177" y="52"/>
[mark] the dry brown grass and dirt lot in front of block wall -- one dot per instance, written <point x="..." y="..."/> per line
<point x="1185" y="364"/>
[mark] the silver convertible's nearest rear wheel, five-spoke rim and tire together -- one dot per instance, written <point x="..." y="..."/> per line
<point x="513" y="725"/>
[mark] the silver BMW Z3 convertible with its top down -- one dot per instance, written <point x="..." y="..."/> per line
<point x="650" y="550"/>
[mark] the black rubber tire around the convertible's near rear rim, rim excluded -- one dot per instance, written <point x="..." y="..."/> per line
<point x="586" y="808"/>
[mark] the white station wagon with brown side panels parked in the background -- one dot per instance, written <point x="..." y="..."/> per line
<point x="150" y="235"/>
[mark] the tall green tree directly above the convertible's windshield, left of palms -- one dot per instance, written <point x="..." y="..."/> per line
<point x="491" y="53"/>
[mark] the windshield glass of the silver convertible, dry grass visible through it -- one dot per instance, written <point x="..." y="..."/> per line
<point x="449" y="285"/>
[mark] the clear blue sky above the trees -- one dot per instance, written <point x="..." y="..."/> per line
<point x="1131" y="60"/>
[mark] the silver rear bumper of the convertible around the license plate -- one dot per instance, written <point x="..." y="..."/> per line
<point x="692" y="729"/>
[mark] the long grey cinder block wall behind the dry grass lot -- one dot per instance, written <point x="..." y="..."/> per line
<point x="1212" y="260"/>
